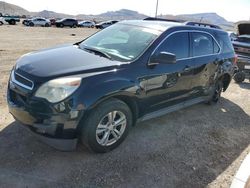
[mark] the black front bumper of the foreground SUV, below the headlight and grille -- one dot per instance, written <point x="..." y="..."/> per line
<point x="55" y="125"/>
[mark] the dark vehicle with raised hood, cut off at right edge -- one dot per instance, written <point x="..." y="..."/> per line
<point x="242" y="48"/>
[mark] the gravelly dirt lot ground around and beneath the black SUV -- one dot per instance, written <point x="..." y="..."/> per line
<point x="201" y="146"/>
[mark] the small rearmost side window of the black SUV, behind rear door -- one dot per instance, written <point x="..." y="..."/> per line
<point x="225" y="43"/>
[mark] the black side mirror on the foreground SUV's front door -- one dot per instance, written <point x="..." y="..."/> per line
<point x="162" y="58"/>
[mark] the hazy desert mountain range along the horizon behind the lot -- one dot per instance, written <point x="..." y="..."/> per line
<point x="123" y="14"/>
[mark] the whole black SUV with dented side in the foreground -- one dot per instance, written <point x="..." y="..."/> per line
<point x="97" y="89"/>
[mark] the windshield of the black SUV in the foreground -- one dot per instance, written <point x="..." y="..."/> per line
<point x="122" y="42"/>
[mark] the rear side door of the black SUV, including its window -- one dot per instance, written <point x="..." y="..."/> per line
<point x="205" y="52"/>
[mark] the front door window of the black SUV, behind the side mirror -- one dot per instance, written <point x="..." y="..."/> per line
<point x="177" y="44"/>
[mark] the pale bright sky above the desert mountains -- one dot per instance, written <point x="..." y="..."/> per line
<point x="232" y="10"/>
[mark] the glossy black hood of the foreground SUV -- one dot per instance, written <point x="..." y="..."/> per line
<point x="64" y="60"/>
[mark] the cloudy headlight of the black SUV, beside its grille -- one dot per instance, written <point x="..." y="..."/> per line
<point x="58" y="89"/>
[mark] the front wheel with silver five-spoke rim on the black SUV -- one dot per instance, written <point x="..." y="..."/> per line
<point x="106" y="126"/>
